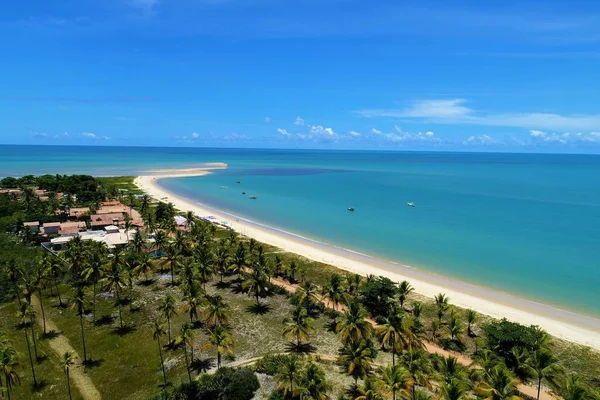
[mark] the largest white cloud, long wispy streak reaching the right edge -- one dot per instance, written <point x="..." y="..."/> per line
<point x="454" y="111"/>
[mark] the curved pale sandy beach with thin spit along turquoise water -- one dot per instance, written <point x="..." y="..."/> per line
<point x="560" y="323"/>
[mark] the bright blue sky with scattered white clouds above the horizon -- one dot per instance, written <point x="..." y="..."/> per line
<point x="344" y="74"/>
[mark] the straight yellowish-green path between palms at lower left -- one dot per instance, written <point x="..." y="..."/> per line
<point x="60" y="344"/>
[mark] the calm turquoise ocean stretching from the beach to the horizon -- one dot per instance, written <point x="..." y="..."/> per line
<point x="526" y="224"/>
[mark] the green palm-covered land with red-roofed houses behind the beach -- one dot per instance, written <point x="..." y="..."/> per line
<point x="157" y="303"/>
